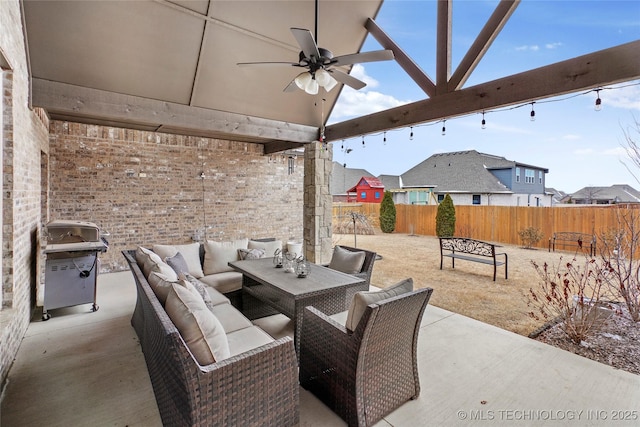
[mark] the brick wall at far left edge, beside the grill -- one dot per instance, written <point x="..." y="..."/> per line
<point x="24" y="139"/>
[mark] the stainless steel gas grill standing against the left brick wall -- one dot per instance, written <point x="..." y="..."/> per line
<point x="72" y="265"/>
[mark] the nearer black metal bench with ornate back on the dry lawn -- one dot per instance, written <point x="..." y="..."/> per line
<point x="471" y="250"/>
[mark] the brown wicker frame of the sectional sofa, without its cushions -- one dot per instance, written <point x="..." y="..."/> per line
<point x="256" y="388"/>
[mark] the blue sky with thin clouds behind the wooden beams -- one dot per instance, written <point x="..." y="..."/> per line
<point x="580" y="146"/>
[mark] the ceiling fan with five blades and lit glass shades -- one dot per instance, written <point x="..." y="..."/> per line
<point x="321" y="64"/>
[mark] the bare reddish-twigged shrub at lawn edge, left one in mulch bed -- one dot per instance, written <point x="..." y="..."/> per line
<point x="571" y="293"/>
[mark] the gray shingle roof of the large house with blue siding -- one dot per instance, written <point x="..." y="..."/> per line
<point x="461" y="171"/>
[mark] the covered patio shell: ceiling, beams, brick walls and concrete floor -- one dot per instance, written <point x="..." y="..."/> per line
<point x="141" y="110"/>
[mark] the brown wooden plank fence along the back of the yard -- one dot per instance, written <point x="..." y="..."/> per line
<point x="499" y="224"/>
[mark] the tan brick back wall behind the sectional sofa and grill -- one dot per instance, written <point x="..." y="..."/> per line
<point x="145" y="187"/>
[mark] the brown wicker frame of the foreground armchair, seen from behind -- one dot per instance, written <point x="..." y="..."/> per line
<point x="365" y="374"/>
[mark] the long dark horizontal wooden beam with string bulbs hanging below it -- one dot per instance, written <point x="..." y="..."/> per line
<point x="605" y="67"/>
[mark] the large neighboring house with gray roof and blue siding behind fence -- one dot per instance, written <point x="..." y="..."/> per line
<point x="473" y="178"/>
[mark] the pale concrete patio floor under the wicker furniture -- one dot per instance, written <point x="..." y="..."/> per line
<point x="83" y="368"/>
